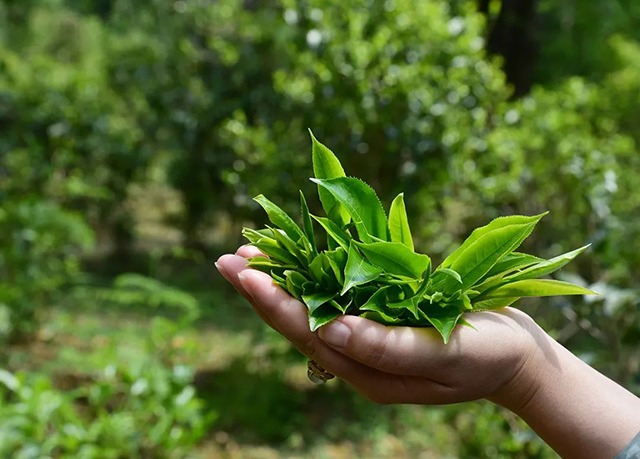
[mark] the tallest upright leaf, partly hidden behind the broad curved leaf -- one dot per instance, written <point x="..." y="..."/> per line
<point x="327" y="166"/>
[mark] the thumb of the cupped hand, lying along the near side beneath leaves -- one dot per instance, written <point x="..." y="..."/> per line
<point x="398" y="350"/>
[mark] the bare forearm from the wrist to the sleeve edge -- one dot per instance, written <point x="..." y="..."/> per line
<point x="579" y="412"/>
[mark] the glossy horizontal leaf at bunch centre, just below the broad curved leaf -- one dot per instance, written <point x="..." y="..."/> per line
<point x="396" y="258"/>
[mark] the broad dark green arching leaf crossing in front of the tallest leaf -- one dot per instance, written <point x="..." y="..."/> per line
<point x="362" y="203"/>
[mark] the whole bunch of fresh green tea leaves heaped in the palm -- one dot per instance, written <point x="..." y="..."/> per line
<point x="370" y="268"/>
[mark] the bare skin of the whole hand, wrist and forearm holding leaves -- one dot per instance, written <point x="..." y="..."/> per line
<point x="508" y="360"/>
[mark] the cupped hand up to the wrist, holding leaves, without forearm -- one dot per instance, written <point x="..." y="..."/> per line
<point x="390" y="364"/>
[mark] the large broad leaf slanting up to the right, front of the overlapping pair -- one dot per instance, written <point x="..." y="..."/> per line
<point x="484" y="253"/>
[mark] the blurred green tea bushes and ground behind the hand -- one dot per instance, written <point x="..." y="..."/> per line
<point x="133" y="135"/>
